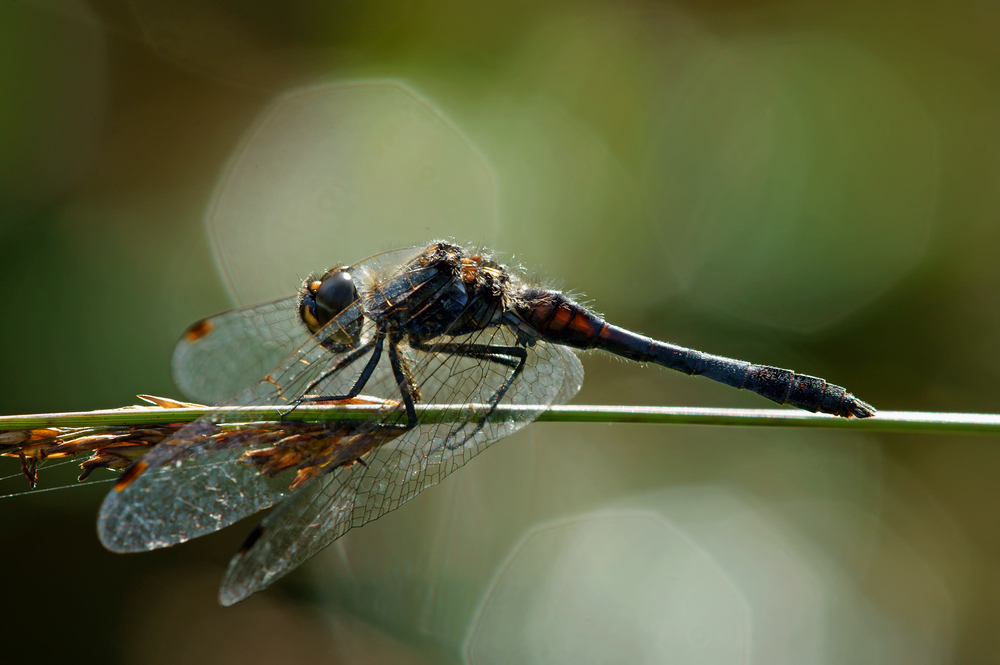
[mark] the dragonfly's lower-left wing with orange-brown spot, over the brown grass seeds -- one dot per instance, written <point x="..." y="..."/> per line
<point x="199" y="480"/>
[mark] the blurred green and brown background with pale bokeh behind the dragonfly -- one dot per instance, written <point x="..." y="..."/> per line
<point x="808" y="185"/>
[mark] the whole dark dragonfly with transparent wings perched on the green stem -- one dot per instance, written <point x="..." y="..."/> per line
<point x="436" y="324"/>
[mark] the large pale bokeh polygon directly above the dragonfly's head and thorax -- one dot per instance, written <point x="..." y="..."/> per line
<point x="331" y="174"/>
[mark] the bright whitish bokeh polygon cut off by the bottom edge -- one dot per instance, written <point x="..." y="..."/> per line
<point x="609" y="586"/>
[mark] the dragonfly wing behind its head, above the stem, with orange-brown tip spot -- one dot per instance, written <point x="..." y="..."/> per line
<point x="223" y="355"/>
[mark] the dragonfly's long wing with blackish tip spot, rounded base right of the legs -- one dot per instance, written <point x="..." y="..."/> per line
<point x="333" y="503"/>
